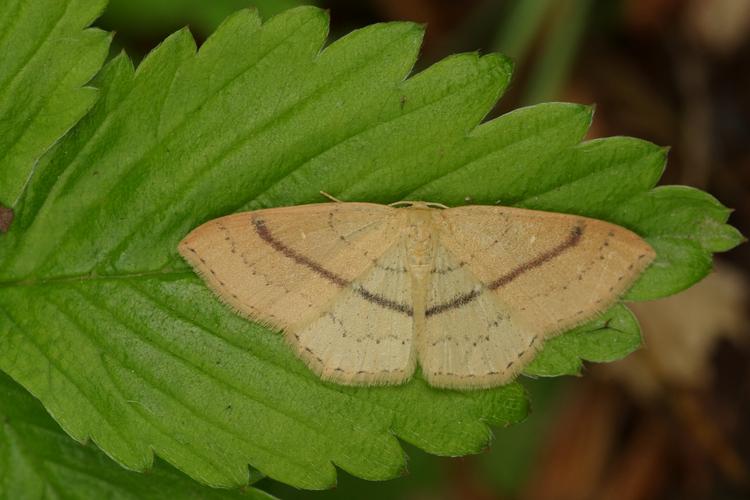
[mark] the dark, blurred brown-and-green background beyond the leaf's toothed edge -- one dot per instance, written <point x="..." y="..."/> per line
<point x="672" y="420"/>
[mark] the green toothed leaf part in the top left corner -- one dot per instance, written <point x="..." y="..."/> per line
<point x="47" y="57"/>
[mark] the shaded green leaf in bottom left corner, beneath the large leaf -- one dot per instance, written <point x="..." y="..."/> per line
<point x="38" y="460"/>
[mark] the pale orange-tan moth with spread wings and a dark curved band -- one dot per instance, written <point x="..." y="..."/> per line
<point x="365" y="292"/>
